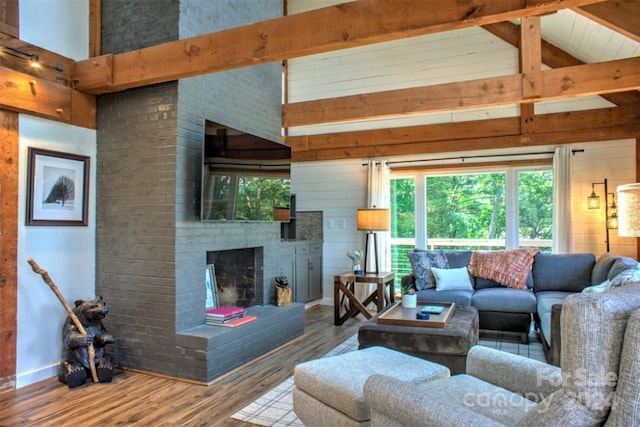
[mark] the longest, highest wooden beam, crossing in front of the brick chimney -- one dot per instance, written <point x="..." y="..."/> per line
<point x="332" y="28"/>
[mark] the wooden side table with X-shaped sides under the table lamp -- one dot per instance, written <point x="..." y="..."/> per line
<point x="345" y="284"/>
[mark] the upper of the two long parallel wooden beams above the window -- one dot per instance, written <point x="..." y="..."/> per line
<point x="579" y="80"/>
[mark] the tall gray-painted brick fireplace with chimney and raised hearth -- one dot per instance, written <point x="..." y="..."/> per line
<point x="151" y="247"/>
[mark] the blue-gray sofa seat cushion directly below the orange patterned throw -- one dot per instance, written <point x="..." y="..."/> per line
<point x="506" y="300"/>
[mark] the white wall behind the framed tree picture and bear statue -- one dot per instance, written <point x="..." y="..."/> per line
<point x="67" y="253"/>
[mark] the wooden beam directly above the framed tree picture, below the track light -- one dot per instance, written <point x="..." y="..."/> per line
<point x="24" y="93"/>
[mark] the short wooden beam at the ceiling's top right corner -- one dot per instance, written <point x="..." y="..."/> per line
<point x="622" y="16"/>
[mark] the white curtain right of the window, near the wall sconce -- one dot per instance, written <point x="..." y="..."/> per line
<point x="562" y="211"/>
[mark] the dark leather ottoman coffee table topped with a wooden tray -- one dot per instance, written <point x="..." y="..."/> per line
<point x="444" y="344"/>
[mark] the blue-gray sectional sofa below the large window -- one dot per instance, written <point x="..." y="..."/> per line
<point x="552" y="278"/>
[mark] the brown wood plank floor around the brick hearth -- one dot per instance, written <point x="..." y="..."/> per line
<point x="147" y="400"/>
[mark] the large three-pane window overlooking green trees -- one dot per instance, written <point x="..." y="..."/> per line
<point x="493" y="209"/>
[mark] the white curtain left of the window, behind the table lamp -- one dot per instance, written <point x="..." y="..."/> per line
<point x="379" y="189"/>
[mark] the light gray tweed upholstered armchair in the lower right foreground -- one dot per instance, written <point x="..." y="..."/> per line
<point x="598" y="382"/>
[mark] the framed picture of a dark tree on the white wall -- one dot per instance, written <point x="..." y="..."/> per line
<point x="57" y="188"/>
